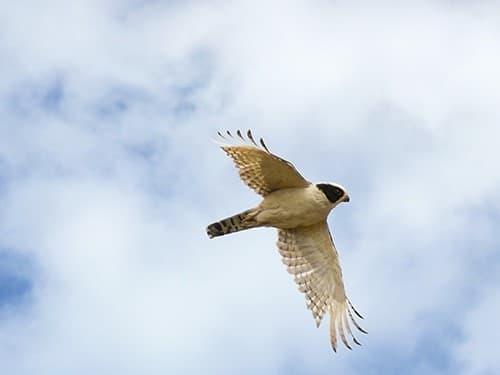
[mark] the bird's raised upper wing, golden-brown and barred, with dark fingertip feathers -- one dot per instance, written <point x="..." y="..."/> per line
<point x="261" y="170"/>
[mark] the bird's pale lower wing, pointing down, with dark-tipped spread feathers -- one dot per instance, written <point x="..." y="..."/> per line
<point x="310" y="255"/>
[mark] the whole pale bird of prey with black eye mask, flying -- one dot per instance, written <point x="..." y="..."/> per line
<point x="299" y="210"/>
